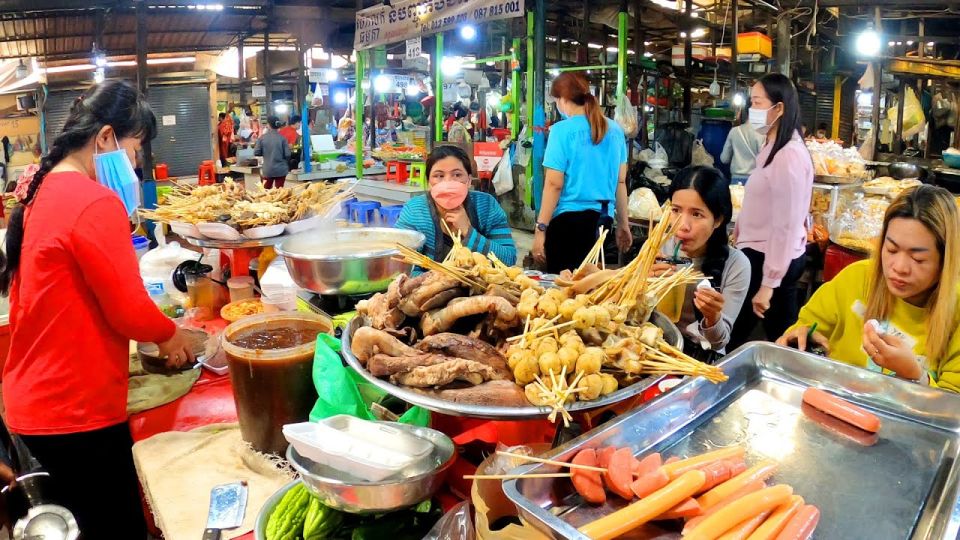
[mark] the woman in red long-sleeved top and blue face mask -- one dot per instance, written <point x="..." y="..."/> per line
<point x="76" y="302"/>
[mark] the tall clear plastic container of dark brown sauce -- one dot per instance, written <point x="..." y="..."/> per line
<point x="271" y="368"/>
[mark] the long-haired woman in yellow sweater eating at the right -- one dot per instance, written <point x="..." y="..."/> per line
<point x="897" y="312"/>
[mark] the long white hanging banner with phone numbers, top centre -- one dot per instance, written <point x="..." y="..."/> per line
<point x="403" y="19"/>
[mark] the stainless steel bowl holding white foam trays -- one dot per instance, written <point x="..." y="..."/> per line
<point x="343" y="492"/>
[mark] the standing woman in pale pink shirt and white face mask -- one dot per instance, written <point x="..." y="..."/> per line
<point x="771" y="229"/>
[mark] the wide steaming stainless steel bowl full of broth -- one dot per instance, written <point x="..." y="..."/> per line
<point x="316" y="267"/>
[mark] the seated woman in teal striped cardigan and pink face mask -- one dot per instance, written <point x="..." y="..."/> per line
<point x="451" y="207"/>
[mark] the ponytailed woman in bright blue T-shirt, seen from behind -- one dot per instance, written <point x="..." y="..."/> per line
<point x="585" y="179"/>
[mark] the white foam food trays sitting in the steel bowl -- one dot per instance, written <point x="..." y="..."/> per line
<point x="371" y="451"/>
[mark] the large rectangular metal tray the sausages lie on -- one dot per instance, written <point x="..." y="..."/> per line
<point x="901" y="484"/>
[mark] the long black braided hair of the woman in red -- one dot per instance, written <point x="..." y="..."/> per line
<point x="113" y="103"/>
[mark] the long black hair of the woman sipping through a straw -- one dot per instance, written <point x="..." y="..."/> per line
<point x="714" y="189"/>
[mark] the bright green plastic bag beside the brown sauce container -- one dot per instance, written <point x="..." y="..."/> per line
<point x="341" y="390"/>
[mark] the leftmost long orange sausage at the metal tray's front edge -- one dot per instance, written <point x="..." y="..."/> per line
<point x="636" y="514"/>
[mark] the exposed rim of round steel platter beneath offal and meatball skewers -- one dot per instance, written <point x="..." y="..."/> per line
<point x="670" y="333"/>
